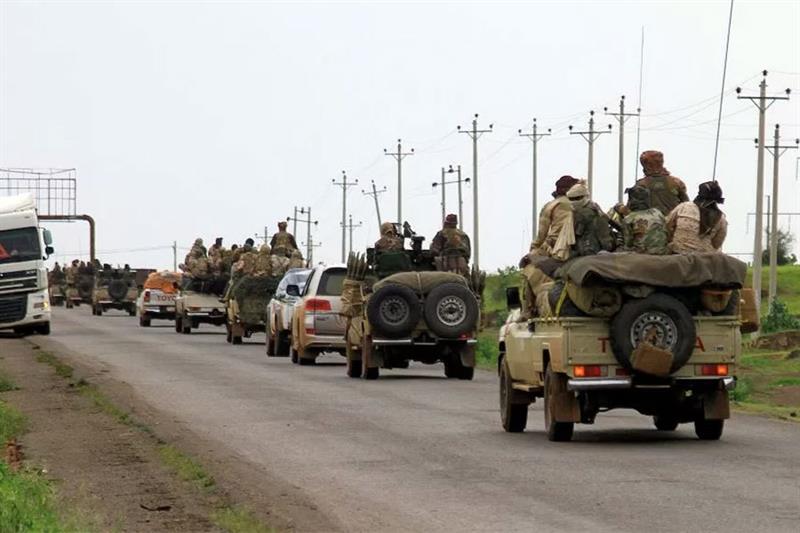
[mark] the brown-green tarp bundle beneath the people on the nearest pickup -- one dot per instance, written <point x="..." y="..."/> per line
<point x="672" y="271"/>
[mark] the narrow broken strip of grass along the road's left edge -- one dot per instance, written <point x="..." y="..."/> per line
<point x="234" y="519"/>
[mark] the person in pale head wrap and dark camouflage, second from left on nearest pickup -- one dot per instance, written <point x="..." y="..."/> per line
<point x="591" y="225"/>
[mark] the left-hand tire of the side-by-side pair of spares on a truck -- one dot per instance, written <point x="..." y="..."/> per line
<point x="393" y="311"/>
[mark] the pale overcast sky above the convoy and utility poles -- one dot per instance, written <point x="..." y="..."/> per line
<point x="193" y="119"/>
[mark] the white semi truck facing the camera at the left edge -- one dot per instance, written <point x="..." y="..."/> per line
<point x="24" y="246"/>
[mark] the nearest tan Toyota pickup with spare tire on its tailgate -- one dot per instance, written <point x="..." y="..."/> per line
<point x="661" y="353"/>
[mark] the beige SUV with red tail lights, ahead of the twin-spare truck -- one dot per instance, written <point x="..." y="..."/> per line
<point x="317" y="323"/>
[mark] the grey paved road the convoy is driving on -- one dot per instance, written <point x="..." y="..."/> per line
<point x="416" y="452"/>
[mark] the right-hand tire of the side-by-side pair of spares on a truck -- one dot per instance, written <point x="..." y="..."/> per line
<point x="451" y="310"/>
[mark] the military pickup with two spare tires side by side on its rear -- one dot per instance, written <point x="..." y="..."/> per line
<point x="399" y="308"/>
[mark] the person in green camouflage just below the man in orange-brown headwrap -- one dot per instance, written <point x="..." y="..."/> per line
<point x="644" y="229"/>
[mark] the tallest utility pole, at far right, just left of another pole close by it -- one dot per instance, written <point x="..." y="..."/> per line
<point x="762" y="103"/>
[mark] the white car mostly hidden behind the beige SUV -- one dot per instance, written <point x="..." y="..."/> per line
<point x="281" y="309"/>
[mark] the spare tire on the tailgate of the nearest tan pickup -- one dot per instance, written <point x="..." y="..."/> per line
<point x="659" y="319"/>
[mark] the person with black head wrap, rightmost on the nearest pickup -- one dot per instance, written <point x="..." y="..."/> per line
<point x="698" y="226"/>
